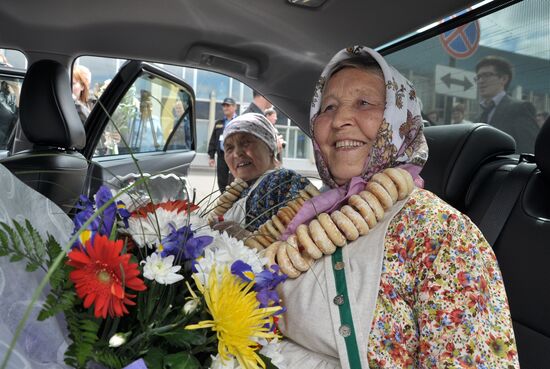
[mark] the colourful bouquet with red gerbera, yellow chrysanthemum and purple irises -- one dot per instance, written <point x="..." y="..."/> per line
<point x="147" y="283"/>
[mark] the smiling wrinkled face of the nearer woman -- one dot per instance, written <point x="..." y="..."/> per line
<point x="352" y="109"/>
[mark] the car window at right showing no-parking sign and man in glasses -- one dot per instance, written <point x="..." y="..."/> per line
<point x="455" y="85"/>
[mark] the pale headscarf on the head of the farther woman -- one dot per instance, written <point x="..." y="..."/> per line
<point x="254" y="124"/>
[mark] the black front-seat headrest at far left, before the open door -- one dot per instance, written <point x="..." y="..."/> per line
<point x="47" y="110"/>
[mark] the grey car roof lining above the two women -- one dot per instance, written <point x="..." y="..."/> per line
<point x="272" y="46"/>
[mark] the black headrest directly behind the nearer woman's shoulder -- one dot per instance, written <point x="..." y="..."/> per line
<point x="456" y="152"/>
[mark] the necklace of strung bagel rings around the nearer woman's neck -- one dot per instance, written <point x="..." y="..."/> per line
<point x="328" y="231"/>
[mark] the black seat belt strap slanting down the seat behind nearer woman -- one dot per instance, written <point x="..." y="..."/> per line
<point x="502" y="204"/>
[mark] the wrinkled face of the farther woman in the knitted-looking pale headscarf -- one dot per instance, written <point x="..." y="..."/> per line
<point x="247" y="156"/>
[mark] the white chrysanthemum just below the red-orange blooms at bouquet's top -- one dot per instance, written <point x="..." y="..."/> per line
<point x="152" y="229"/>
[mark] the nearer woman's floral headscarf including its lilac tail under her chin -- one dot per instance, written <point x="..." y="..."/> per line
<point x="400" y="141"/>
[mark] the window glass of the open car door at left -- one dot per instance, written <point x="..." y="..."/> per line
<point x="144" y="120"/>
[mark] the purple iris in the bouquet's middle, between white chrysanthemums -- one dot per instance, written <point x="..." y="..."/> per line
<point x="182" y="241"/>
